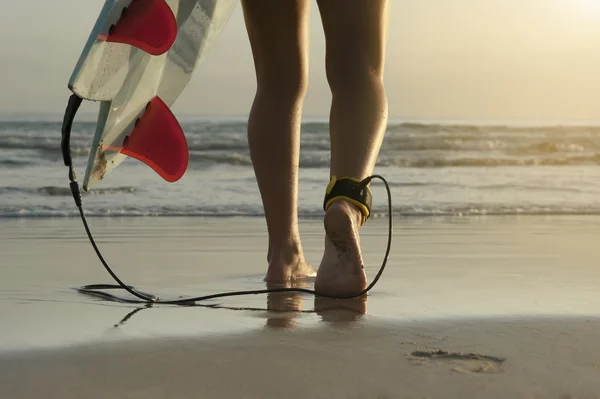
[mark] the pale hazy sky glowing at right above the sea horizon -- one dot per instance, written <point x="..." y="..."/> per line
<point x="486" y="60"/>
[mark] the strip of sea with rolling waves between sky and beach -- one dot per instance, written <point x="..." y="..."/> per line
<point x="434" y="169"/>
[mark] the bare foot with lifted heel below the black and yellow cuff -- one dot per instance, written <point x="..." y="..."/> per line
<point x="341" y="271"/>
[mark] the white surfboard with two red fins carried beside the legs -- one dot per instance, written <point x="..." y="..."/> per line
<point x="138" y="59"/>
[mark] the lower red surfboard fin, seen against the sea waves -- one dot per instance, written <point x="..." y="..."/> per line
<point x="158" y="141"/>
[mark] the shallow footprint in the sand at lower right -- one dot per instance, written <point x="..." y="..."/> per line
<point x="463" y="362"/>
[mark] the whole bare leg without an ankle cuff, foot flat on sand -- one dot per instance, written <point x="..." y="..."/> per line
<point x="278" y="32"/>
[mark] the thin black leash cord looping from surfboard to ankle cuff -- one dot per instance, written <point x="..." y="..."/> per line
<point x="99" y="290"/>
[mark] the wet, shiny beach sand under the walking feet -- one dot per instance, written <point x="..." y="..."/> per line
<point x="494" y="307"/>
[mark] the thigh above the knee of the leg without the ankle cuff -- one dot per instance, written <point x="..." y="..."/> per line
<point x="278" y="33"/>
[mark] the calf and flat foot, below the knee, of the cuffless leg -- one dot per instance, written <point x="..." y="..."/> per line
<point x="273" y="136"/>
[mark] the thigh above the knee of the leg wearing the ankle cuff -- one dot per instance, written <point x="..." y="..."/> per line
<point x="355" y="34"/>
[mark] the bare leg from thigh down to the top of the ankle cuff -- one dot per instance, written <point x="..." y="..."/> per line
<point x="356" y="34"/>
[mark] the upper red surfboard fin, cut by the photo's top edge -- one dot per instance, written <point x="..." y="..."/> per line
<point x="149" y="25"/>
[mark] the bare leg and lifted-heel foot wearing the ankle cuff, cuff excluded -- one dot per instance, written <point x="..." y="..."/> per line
<point x="356" y="34"/>
